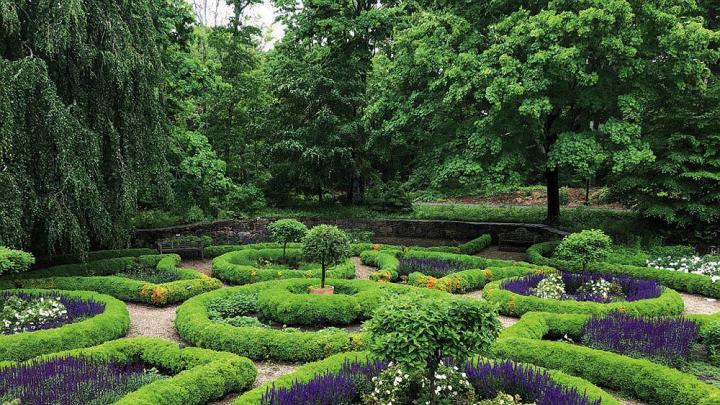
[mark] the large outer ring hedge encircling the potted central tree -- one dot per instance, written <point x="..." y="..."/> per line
<point x="194" y="325"/>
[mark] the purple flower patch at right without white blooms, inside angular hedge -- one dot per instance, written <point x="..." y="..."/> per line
<point x="668" y="340"/>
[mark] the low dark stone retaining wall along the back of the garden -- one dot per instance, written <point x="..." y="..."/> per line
<point x="236" y="231"/>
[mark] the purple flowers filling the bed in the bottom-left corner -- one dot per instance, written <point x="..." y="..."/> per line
<point x="72" y="380"/>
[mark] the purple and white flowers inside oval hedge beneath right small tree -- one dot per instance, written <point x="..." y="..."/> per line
<point x="587" y="287"/>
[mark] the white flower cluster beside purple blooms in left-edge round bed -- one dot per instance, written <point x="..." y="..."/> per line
<point x="18" y="315"/>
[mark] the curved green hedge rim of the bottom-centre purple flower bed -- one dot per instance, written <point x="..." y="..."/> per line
<point x="335" y="363"/>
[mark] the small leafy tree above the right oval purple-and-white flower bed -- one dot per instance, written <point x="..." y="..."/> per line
<point x="584" y="247"/>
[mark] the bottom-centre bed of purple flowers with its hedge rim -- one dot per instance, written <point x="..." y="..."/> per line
<point x="345" y="377"/>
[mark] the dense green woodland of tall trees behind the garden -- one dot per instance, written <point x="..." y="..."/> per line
<point x="117" y="113"/>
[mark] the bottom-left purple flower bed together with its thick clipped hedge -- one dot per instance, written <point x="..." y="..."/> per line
<point x="193" y="375"/>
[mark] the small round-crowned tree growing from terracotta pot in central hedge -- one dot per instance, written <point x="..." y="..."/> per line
<point x="327" y="245"/>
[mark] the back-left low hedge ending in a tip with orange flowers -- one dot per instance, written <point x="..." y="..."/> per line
<point x="98" y="276"/>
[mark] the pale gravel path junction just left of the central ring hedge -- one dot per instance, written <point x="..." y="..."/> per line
<point x="150" y="321"/>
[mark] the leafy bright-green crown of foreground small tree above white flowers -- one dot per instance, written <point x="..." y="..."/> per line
<point x="417" y="332"/>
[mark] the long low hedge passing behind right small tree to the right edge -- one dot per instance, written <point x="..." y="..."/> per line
<point x="685" y="282"/>
